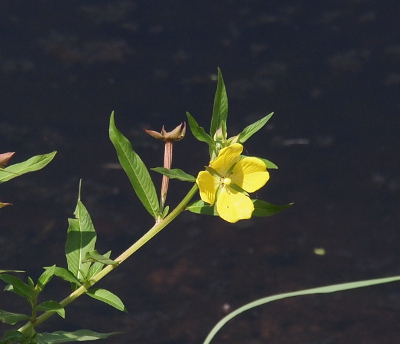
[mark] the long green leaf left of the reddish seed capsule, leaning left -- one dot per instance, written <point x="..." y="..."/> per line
<point x="135" y="169"/>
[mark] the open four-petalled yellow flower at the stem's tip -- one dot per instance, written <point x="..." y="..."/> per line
<point x="228" y="179"/>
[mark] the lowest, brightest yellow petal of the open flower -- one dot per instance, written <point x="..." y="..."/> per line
<point x="233" y="206"/>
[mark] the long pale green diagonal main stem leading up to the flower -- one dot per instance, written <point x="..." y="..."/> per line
<point x="138" y="244"/>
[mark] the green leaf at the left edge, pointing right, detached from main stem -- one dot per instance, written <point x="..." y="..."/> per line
<point x="33" y="164"/>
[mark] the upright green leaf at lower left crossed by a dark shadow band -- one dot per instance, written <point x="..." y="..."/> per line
<point x="81" y="238"/>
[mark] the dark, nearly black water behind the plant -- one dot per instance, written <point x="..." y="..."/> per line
<point x="329" y="70"/>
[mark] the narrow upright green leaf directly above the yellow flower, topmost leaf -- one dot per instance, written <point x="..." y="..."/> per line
<point x="220" y="110"/>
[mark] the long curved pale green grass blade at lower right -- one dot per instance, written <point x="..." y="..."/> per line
<point x="320" y="290"/>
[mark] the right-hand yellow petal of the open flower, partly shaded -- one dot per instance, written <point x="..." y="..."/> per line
<point x="250" y="174"/>
